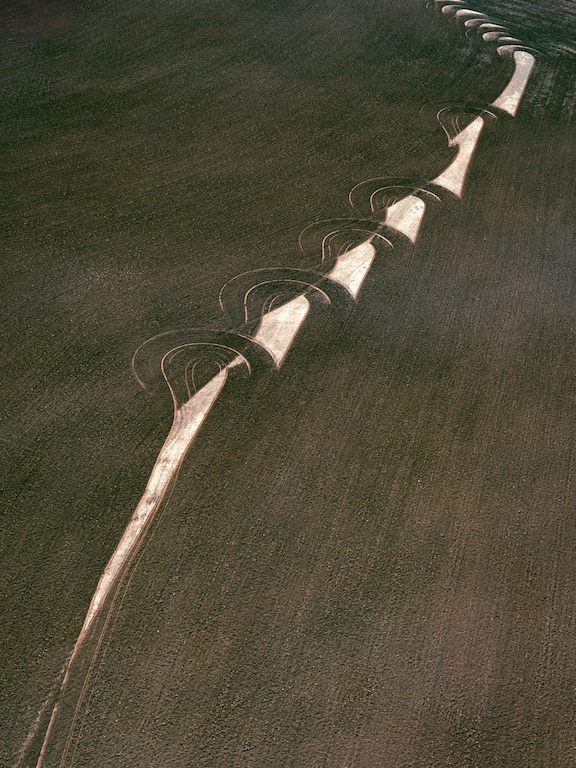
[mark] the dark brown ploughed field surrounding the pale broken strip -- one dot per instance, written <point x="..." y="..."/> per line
<point x="368" y="557"/>
